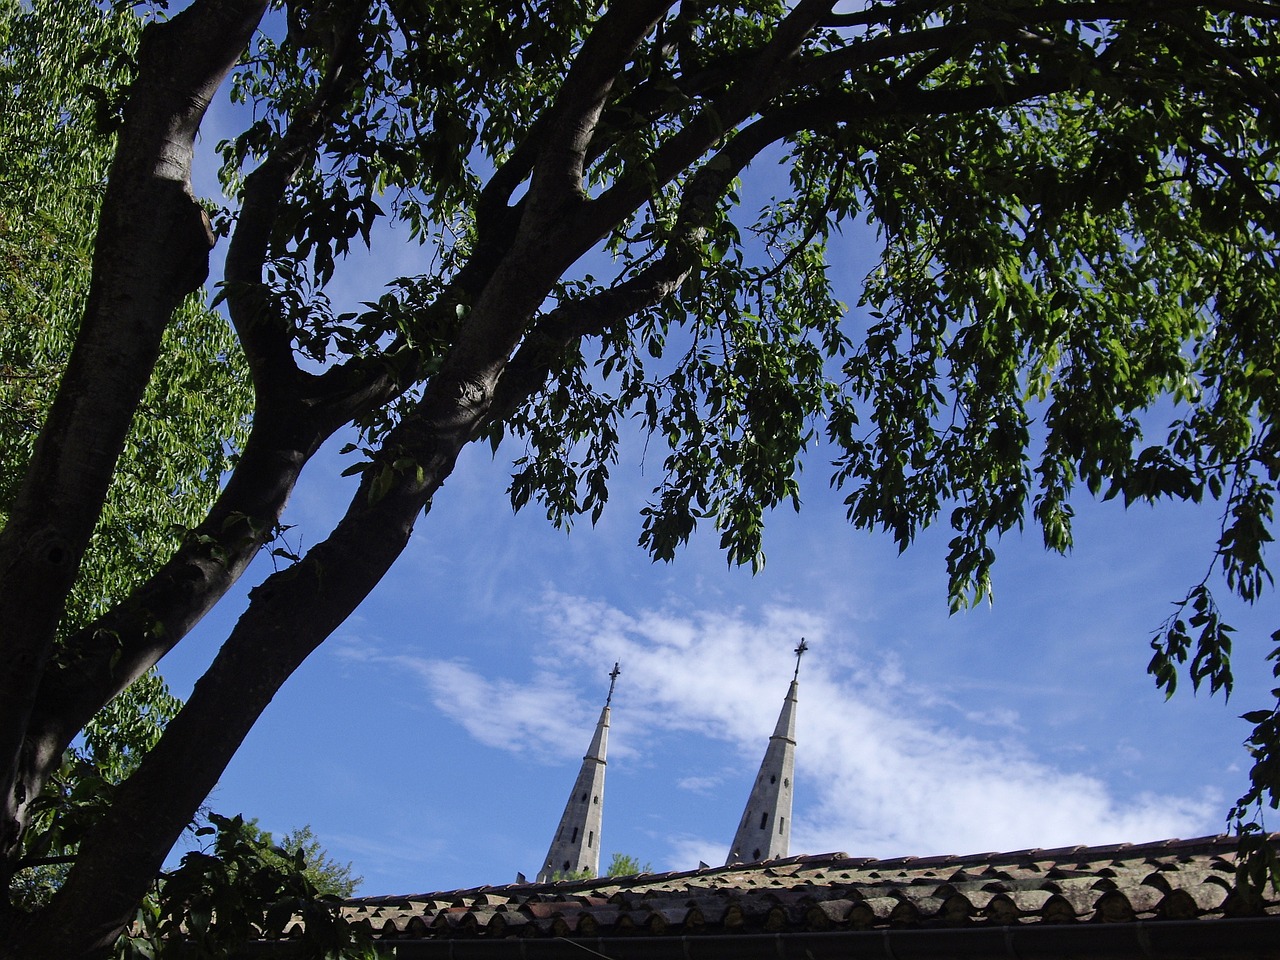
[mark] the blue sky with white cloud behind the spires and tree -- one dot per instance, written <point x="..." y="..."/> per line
<point x="433" y="740"/>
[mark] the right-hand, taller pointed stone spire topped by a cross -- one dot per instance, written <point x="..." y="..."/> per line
<point x="765" y="833"/>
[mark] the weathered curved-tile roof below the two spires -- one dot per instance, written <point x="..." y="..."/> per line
<point x="1155" y="888"/>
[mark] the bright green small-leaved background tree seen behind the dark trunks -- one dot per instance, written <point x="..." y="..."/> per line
<point x="54" y="166"/>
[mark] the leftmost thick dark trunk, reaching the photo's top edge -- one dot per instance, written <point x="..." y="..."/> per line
<point x="152" y="252"/>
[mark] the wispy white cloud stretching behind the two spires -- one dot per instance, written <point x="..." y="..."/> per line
<point x="877" y="772"/>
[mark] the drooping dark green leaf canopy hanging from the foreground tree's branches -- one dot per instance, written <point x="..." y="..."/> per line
<point x="1077" y="287"/>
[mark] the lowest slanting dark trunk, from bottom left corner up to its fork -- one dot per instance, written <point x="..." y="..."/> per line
<point x="290" y="615"/>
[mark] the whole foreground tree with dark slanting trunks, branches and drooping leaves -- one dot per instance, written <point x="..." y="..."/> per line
<point x="1077" y="213"/>
